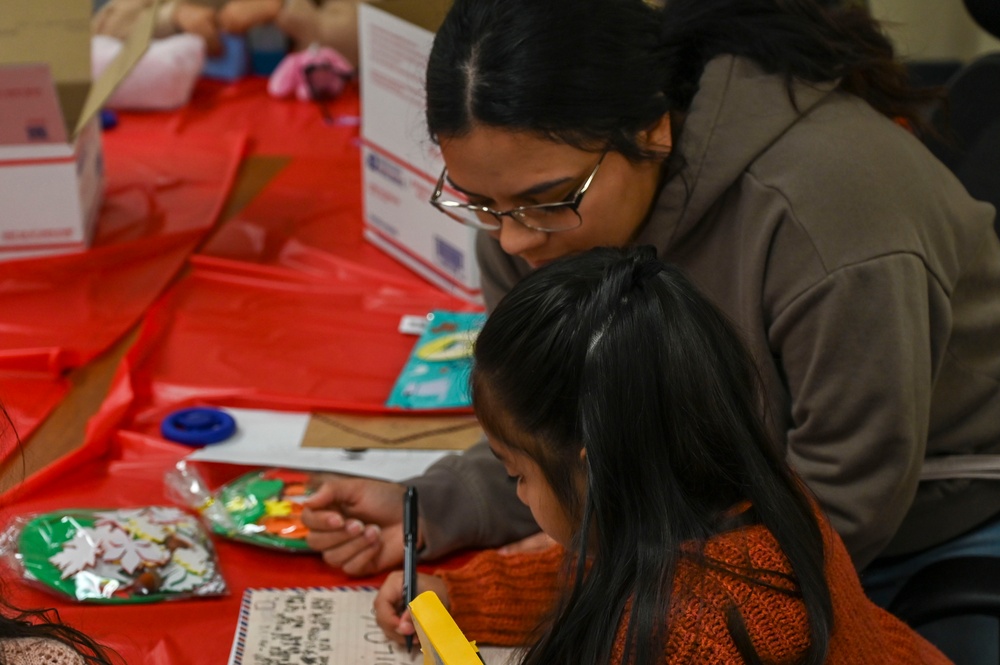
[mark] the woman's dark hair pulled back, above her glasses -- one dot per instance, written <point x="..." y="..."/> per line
<point x="594" y="73"/>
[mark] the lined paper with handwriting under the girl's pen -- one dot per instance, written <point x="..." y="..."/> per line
<point x="321" y="626"/>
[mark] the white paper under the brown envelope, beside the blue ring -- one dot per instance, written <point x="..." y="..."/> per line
<point x="274" y="438"/>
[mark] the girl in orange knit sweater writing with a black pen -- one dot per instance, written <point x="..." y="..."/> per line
<point x="626" y="409"/>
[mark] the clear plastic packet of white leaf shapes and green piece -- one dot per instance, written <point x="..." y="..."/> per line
<point x="125" y="555"/>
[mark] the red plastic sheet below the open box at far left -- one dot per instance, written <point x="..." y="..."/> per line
<point x="163" y="194"/>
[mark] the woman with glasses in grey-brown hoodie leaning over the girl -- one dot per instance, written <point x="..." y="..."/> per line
<point x="768" y="149"/>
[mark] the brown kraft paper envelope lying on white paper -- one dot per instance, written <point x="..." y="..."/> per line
<point x="338" y="430"/>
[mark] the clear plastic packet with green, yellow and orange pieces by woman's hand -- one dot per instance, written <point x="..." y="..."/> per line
<point x="263" y="507"/>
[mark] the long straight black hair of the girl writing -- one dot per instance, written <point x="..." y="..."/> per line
<point x="615" y="351"/>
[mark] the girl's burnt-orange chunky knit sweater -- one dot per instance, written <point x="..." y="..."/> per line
<point x="498" y="599"/>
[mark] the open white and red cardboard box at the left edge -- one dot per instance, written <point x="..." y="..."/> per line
<point x="51" y="163"/>
